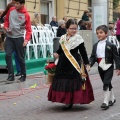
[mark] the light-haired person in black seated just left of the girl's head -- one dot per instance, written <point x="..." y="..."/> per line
<point x="61" y="29"/>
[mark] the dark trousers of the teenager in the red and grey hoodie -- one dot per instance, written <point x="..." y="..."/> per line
<point x="15" y="44"/>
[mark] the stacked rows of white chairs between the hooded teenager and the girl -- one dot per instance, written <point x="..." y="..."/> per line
<point x="41" y="43"/>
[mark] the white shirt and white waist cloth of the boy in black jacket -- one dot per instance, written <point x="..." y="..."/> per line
<point x="101" y="54"/>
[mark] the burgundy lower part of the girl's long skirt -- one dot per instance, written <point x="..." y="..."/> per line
<point x="76" y="97"/>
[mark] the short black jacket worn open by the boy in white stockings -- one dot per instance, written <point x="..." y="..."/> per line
<point x="111" y="55"/>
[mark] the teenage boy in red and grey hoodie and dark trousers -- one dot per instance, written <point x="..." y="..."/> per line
<point x="17" y="20"/>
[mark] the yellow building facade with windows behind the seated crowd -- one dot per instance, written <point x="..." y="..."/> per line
<point x="59" y="8"/>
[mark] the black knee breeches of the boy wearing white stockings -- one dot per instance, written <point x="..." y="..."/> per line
<point x="106" y="77"/>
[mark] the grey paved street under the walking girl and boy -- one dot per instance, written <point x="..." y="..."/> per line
<point x="33" y="105"/>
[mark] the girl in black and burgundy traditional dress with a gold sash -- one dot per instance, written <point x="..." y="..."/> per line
<point x="71" y="84"/>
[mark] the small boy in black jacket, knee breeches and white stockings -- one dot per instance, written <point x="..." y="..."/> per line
<point x="105" y="53"/>
